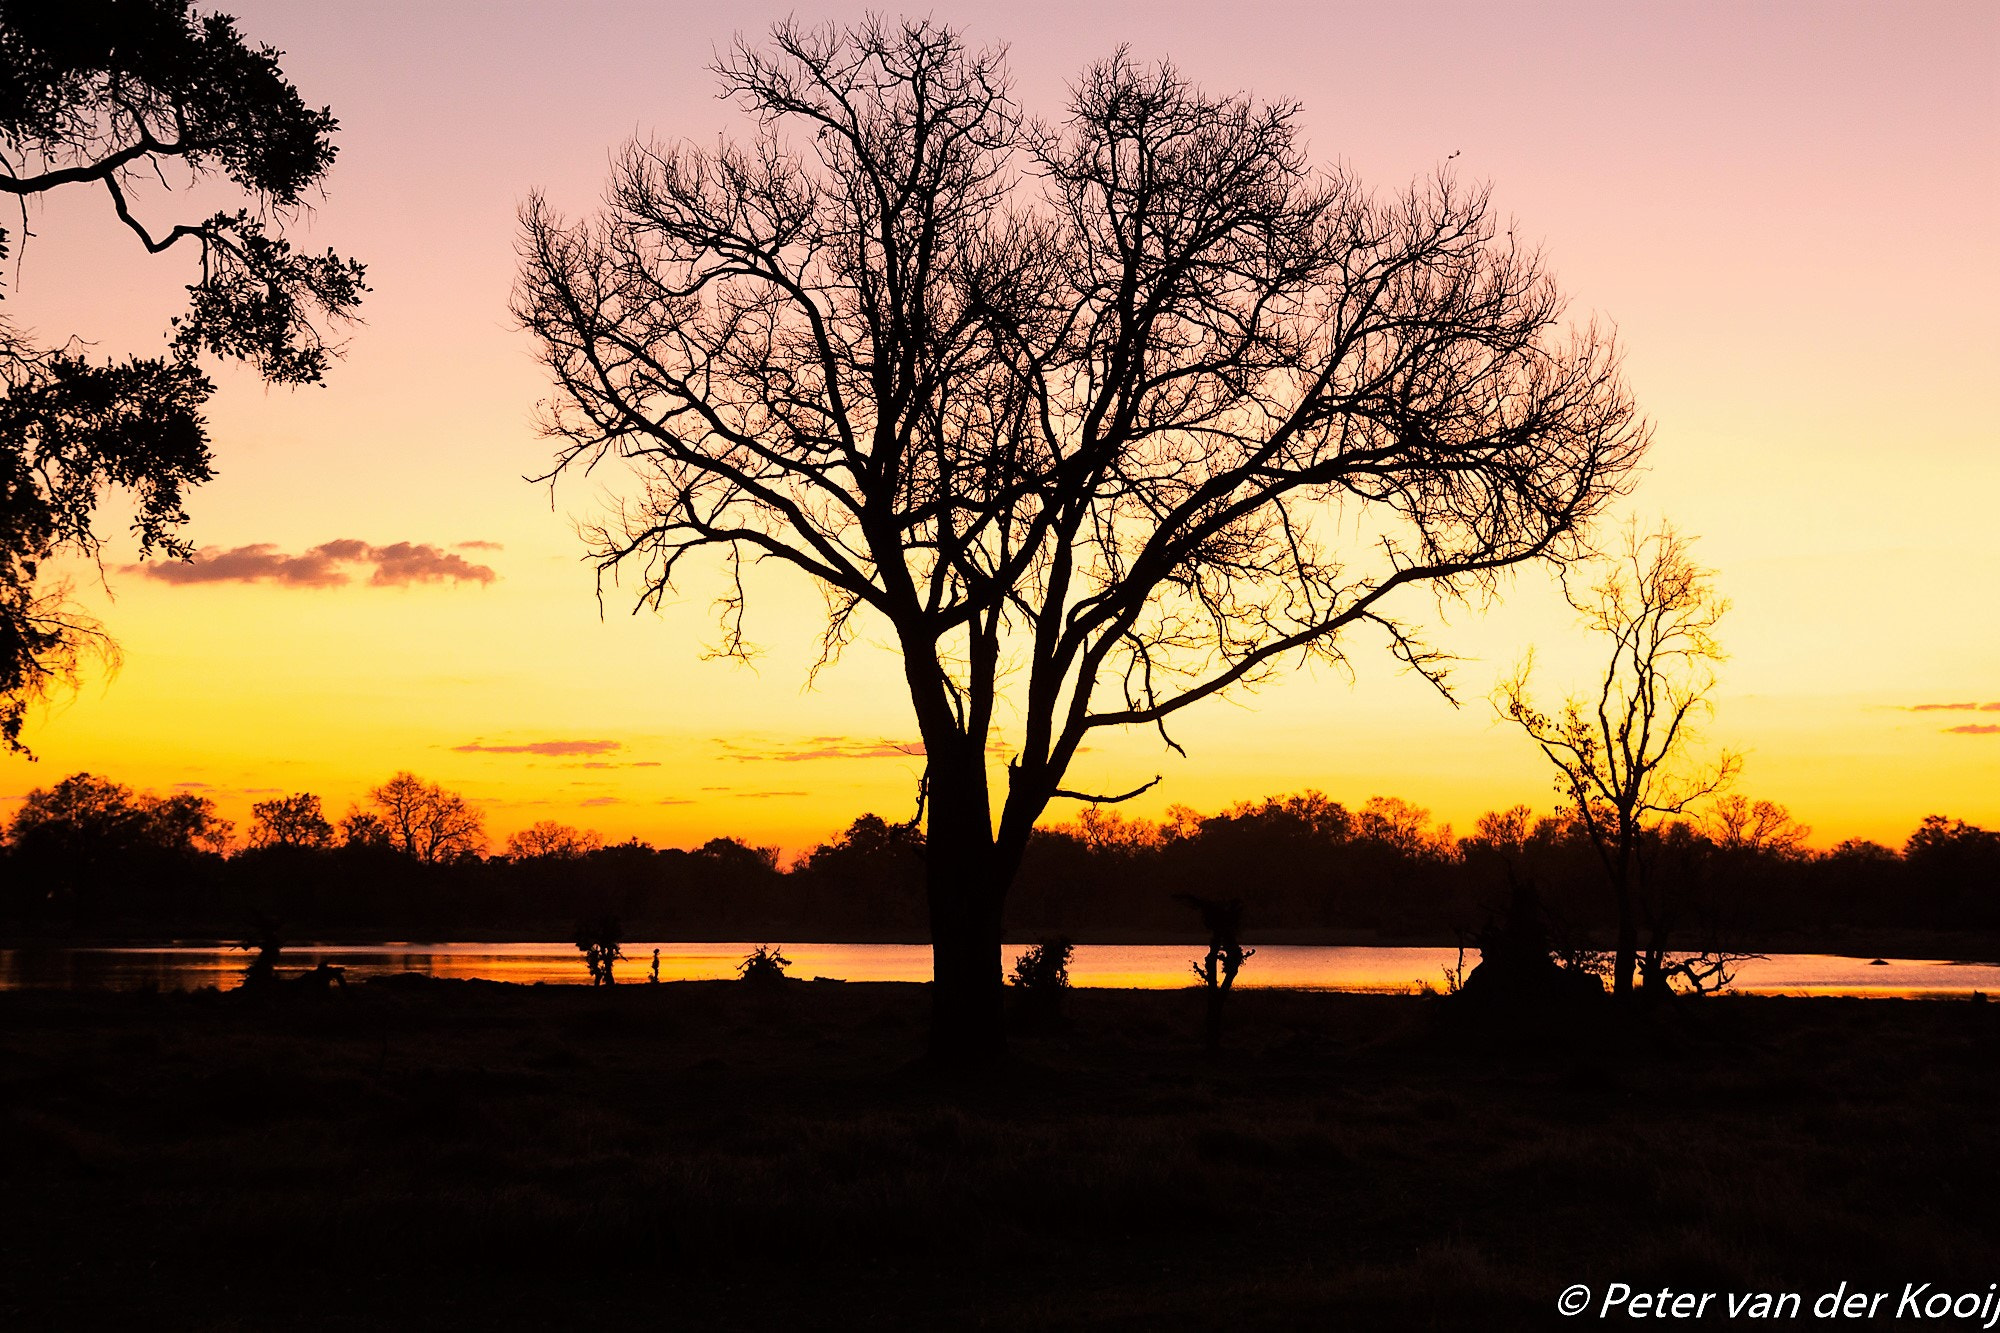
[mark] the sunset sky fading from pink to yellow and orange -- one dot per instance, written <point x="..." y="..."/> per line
<point x="1791" y="213"/>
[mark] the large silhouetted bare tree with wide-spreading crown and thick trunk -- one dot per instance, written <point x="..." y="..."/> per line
<point x="1101" y="417"/>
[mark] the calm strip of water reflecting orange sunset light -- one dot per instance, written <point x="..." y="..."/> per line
<point x="1151" y="968"/>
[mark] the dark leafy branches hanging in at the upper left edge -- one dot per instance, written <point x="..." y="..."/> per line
<point x="107" y="95"/>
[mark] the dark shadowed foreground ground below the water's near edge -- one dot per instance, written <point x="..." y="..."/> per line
<point x="463" y="1156"/>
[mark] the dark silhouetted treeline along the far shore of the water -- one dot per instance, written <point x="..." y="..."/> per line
<point x="89" y="858"/>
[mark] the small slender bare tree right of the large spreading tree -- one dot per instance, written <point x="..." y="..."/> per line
<point x="1625" y="754"/>
